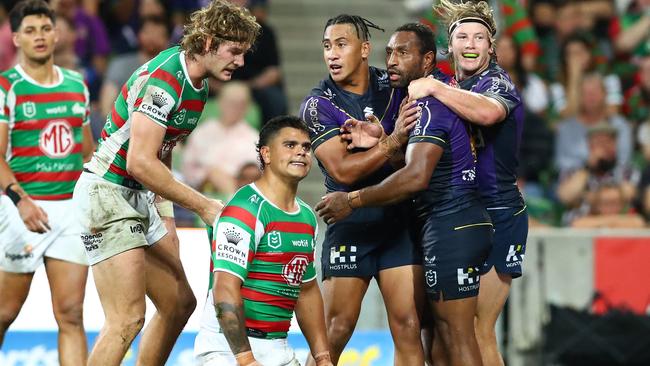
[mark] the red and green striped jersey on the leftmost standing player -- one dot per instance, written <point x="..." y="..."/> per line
<point x="45" y="130"/>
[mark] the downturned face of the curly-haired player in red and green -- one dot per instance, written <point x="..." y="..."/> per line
<point x="228" y="57"/>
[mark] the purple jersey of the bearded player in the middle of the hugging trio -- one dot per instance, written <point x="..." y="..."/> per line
<point x="453" y="184"/>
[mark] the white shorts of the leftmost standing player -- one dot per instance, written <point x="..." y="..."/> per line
<point x="22" y="251"/>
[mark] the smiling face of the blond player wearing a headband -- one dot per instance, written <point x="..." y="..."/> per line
<point x="471" y="49"/>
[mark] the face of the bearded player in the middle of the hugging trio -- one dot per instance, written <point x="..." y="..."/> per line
<point x="404" y="61"/>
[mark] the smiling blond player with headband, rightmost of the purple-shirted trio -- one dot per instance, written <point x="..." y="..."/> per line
<point x="488" y="99"/>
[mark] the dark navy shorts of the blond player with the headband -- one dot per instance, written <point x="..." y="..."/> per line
<point x="509" y="242"/>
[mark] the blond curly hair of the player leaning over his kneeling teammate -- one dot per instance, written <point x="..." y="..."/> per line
<point x="220" y="21"/>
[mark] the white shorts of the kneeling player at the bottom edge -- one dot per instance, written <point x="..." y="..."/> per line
<point x="211" y="347"/>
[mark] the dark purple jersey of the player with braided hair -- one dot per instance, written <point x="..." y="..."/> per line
<point x="328" y="107"/>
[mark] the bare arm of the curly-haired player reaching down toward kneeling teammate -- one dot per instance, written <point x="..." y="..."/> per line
<point x="143" y="164"/>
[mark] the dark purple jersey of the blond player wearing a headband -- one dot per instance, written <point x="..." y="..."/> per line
<point x="498" y="145"/>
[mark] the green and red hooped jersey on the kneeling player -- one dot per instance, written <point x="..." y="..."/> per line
<point x="271" y="251"/>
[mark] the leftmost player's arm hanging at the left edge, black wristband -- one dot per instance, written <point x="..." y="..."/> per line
<point x="33" y="216"/>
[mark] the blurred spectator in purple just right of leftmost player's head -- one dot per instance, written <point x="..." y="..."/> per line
<point x="91" y="43"/>
